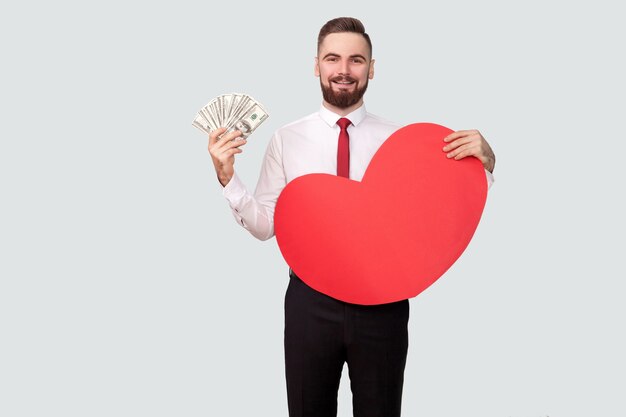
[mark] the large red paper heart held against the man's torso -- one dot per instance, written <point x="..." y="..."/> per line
<point x="390" y="236"/>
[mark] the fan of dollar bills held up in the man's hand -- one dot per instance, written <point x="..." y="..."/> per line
<point x="233" y="111"/>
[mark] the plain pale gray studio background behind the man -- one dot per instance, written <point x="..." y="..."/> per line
<point x="127" y="288"/>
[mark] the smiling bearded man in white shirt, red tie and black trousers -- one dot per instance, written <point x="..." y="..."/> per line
<point x="322" y="333"/>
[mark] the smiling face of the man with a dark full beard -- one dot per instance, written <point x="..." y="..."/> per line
<point x="344" y="66"/>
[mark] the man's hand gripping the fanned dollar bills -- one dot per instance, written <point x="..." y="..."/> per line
<point x="223" y="150"/>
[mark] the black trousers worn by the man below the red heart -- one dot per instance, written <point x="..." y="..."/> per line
<point x="321" y="333"/>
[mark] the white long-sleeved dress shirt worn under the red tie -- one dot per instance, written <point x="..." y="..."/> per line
<point x="306" y="146"/>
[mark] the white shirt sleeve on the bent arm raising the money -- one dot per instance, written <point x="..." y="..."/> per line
<point x="255" y="213"/>
